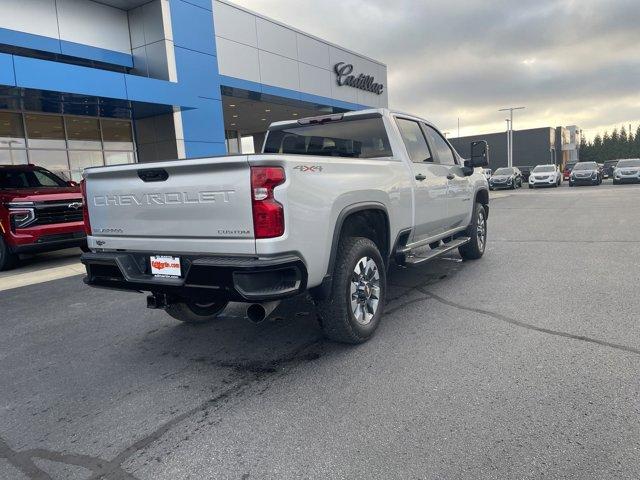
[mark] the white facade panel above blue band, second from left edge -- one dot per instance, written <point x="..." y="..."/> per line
<point x="93" y="24"/>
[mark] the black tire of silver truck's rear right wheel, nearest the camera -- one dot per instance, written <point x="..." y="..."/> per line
<point x="337" y="317"/>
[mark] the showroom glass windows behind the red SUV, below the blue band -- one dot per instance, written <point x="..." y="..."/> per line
<point x="65" y="144"/>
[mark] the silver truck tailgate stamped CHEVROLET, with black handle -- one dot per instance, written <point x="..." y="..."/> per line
<point x="200" y="205"/>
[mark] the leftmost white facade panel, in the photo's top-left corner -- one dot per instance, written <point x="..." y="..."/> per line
<point x="37" y="17"/>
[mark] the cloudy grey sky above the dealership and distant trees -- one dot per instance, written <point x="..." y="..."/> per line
<point x="569" y="62"/>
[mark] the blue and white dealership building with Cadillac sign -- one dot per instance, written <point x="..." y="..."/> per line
<point x="87" y="83"/>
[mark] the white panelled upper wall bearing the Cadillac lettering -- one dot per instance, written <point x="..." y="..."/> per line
<point x="252" y="47"/>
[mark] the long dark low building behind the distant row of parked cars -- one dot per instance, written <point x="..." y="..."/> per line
<point x="531" y="147"/>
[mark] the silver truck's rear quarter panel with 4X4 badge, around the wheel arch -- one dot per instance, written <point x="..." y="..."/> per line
<point x="318" y="189"/>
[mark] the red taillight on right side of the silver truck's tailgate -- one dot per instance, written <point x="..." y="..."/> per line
<point x="268" y="215"/>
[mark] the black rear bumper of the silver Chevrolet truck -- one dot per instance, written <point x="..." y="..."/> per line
<point x="240" y="279"/>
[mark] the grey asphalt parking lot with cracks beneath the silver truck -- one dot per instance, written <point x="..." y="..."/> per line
<point x="523" y="364"/>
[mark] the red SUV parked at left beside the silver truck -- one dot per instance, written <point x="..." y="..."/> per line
<point x="39" y="211"/>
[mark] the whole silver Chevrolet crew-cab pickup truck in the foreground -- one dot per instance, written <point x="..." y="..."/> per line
<point x="326" y="208"/>
